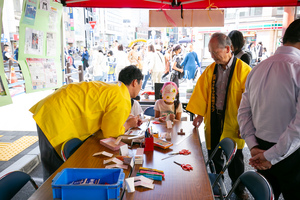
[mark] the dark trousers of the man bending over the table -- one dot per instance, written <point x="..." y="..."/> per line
<point x="51" y="161"/>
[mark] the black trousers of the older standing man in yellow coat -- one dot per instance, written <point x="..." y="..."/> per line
<point x="236" y="167"/>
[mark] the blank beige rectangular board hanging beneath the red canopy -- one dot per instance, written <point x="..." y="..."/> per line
<point x="191" y="18"/>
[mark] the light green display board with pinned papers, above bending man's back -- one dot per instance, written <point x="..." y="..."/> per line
<point x="40" y="46"/>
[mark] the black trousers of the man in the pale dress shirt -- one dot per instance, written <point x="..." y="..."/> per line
<point x="284" y="177"/>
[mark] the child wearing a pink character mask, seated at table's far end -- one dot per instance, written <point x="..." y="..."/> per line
<point x="169" y="107"/>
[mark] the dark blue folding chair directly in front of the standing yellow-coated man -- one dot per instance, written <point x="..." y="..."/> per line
<point x="228" y="147"/>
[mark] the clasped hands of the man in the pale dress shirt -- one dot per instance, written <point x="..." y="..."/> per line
<point x="258" y="160"/>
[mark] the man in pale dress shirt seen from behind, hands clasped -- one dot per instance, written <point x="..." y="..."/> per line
<point x="269" y="116"/>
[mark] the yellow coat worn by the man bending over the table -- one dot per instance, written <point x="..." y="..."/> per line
<point x="81" y="109"/>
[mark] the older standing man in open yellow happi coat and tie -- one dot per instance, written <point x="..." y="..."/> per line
<point x="216" y="98"/>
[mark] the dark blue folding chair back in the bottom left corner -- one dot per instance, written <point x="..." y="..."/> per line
<point x="12" y="183"/>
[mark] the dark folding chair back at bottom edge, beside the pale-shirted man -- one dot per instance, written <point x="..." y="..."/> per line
<point x="257" y="185"/>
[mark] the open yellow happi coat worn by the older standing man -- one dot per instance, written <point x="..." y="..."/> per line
<point x="200" y="101"/>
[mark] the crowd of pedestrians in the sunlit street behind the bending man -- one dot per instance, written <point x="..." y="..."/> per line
<point x="155" y="62"/>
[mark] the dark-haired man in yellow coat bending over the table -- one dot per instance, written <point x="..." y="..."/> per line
<point x="78" y="110"/>
